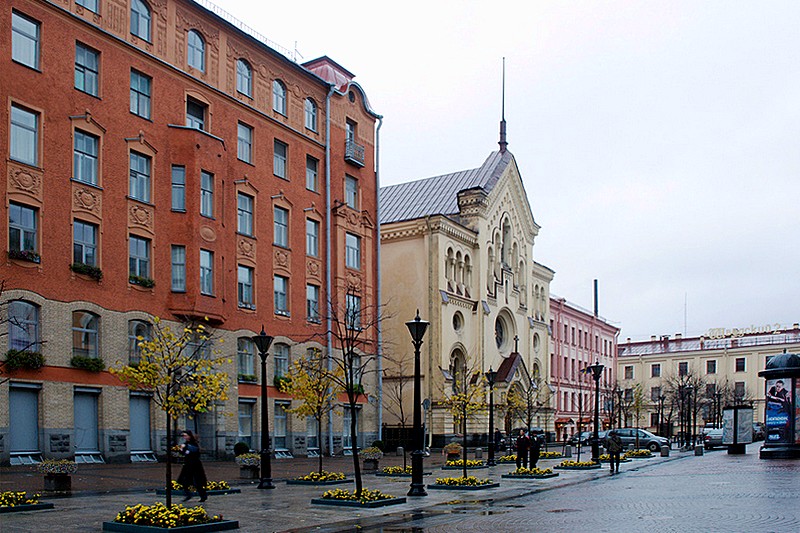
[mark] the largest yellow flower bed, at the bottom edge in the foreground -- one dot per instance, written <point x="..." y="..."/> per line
<point x="175" y="518"/>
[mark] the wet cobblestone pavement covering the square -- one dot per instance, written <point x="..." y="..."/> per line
<point x="715" y="492"/>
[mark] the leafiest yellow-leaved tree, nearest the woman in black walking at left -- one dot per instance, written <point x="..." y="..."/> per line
<point x="181" y="371"/>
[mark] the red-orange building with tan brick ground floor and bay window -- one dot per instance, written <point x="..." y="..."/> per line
<point x="162" y="159"/>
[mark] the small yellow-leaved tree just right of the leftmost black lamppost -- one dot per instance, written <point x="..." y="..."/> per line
<point x="311" y="383"/>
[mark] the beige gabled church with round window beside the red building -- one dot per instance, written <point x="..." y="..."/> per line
<point x="460" y="249"/>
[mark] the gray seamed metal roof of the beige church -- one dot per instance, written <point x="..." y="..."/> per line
<point x="439" y="195"/>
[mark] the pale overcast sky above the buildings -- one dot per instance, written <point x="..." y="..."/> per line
<point x="658" y="141"/>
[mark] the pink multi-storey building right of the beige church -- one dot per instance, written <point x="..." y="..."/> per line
<point x="578" y="339"/>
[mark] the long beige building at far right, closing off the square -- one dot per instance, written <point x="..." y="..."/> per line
<point x="722" y="368"/>
